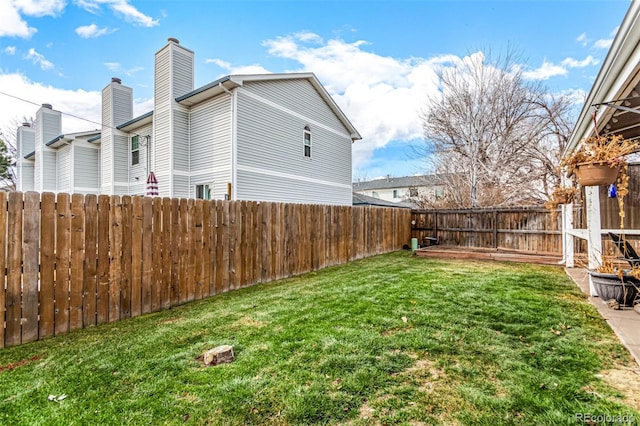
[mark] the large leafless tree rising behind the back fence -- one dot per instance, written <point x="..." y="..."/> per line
<point x="494" y="136"/>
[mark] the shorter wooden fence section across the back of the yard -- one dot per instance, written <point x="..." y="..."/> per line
<point x="530" y="229"/>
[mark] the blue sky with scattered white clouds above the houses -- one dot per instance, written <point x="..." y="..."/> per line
<point x="376" y="58"/>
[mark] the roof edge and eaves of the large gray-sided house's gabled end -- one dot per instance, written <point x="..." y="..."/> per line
<point x="229" y="82"/>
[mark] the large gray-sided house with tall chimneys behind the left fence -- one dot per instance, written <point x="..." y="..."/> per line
<point x="266" y="137"/>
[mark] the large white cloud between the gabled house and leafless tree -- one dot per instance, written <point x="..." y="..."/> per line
<point x="381" y="95"/>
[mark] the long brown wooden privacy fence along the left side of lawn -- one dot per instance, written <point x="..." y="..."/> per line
<point x="74" y="261"/>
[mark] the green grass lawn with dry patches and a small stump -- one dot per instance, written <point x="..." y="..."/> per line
<point x="392" y="339"/>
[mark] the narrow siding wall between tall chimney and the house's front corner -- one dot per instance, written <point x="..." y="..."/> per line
<point x="211" y="145"/>
